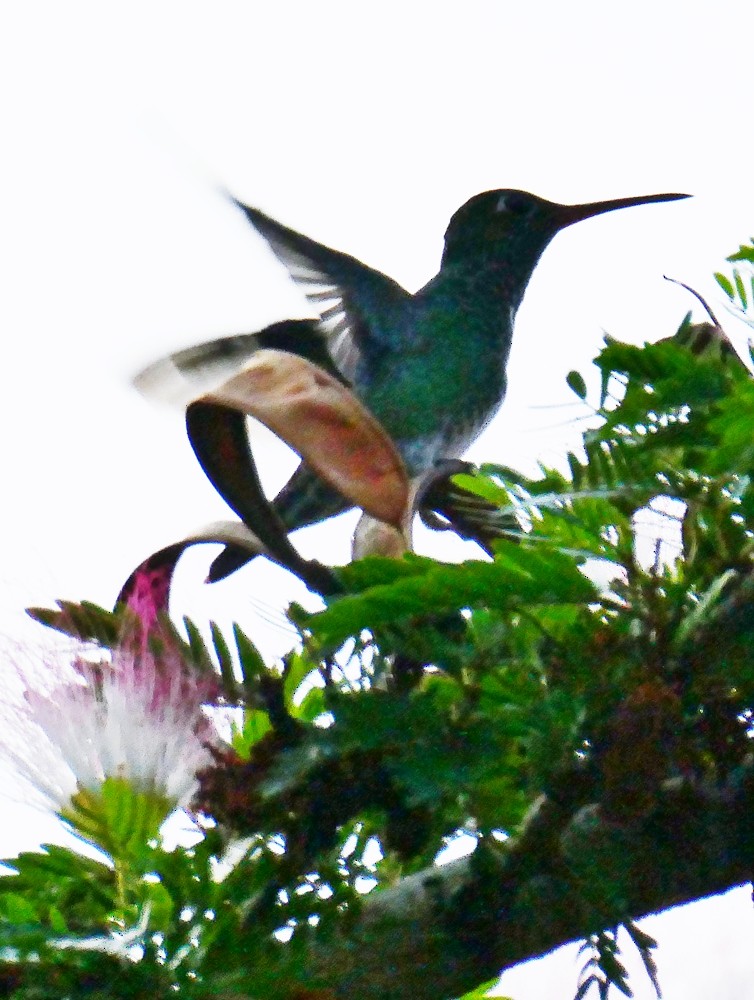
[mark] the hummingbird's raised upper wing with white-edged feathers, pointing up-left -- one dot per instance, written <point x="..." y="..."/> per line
<point x="350" y="298"/>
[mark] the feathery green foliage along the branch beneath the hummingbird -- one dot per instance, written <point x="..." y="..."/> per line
<point x="604" y="651"/>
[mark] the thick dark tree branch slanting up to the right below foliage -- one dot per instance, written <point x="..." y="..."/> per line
<point x="445" y="930"/>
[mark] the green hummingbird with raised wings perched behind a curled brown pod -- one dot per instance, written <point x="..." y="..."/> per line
<point x="431" y="366"/>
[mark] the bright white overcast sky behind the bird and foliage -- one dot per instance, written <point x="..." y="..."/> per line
<point x="364" y="126"/>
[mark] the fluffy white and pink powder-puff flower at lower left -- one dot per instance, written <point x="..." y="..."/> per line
<point x="136" y="721"/>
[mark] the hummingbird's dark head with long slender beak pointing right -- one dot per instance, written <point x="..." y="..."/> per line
<point x="513" y="228"/>
